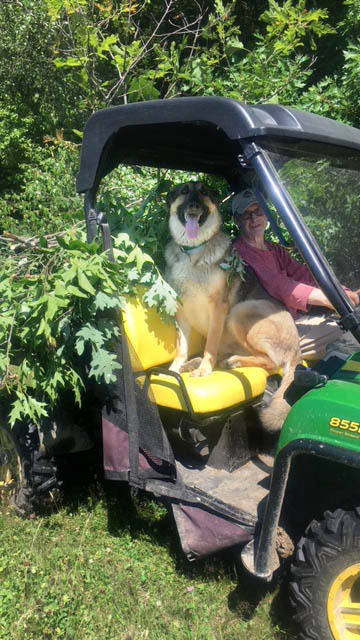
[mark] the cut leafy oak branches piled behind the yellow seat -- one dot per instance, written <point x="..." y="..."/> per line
<point x="56" y="326"/>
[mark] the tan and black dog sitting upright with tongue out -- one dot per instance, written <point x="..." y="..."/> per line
<point x="242" y="325"/>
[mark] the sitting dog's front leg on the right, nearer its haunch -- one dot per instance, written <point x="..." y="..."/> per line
<point x="217" y="314"/>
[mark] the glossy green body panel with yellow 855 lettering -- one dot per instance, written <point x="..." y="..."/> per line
<point x="329" y="414"/>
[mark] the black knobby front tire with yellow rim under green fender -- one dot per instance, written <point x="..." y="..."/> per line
<point x="325" y="578"/>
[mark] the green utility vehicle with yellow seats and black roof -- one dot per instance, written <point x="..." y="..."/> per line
<point x="193" y="441"/>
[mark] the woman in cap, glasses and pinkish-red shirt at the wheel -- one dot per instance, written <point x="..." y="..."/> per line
<point x="290" y="282"/>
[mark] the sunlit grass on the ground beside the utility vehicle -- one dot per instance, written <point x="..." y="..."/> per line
<point x="108" y="567"/>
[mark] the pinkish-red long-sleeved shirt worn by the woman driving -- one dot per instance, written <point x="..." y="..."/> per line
<point x="281" y="276"/>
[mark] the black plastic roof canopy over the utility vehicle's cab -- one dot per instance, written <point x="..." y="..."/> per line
<point x="195" y="134"/>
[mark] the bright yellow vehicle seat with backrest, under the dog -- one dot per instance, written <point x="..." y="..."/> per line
<point x="153" y="342"/>
